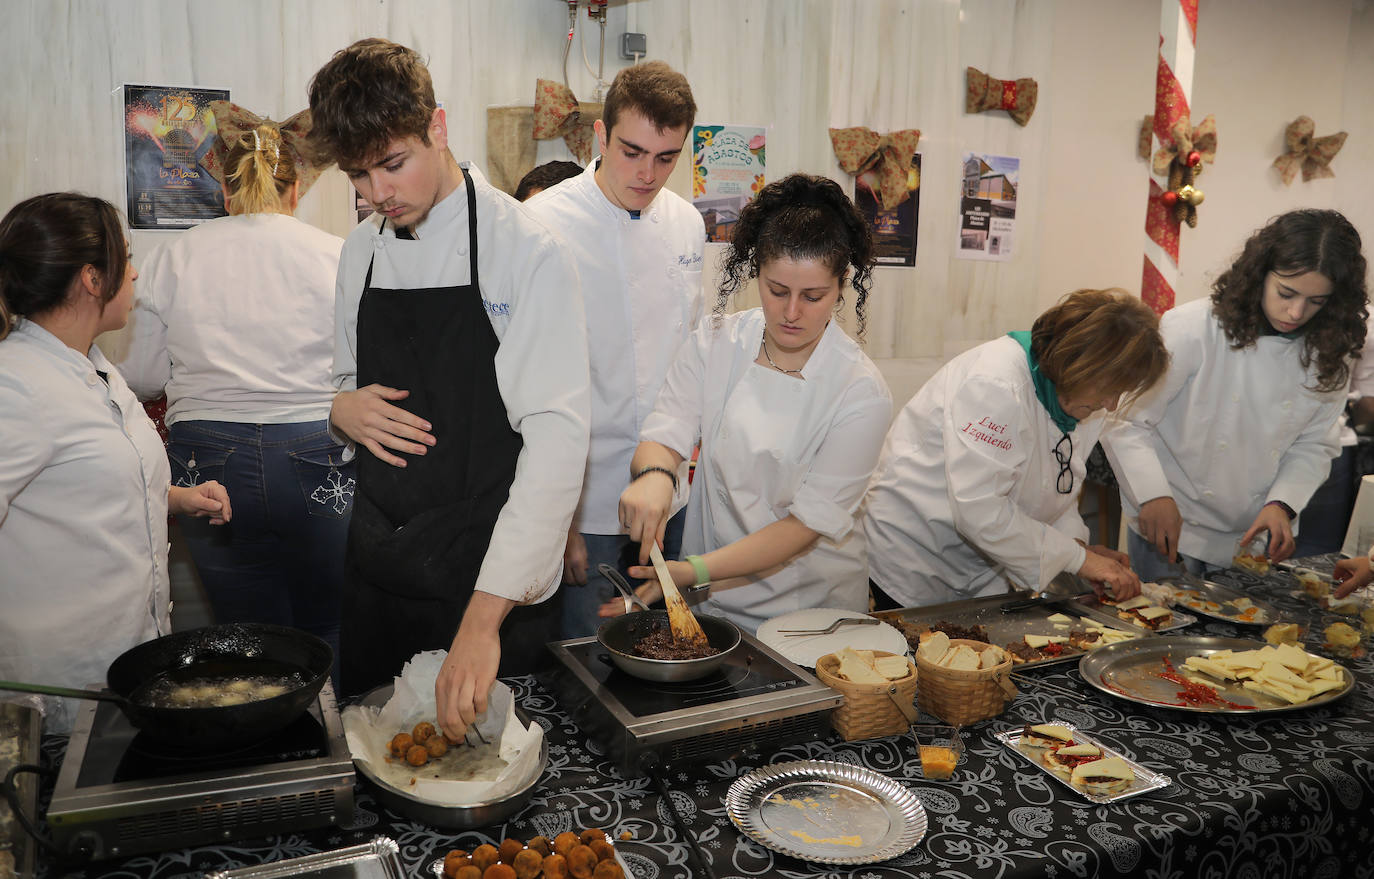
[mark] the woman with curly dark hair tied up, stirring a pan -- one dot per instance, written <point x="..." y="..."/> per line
<point x="789" y="414"/>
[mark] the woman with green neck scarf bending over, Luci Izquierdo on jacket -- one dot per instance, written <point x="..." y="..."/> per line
<point x="979" y="483"/>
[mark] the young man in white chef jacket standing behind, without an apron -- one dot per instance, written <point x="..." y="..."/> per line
<point x="640" y="255"/>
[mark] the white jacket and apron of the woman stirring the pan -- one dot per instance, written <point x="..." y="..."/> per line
<point x="774" y="446"/>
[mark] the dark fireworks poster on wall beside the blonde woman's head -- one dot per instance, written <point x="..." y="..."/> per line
<point x="167" y="131"/>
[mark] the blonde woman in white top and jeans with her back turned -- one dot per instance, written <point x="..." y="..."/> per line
<point x="236" y="323"/>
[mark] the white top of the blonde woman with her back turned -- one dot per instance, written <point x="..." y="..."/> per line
<point x="236" y="321"/>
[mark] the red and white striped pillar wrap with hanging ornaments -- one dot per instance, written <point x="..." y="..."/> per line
<point x="1173" y="86"/>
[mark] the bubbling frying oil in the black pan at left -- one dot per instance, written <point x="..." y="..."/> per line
<point x="207" y="686"/>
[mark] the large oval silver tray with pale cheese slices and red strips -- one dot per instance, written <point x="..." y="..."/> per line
<point x="1217" y="675"/>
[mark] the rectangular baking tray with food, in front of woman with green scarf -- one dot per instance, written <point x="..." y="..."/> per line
<point x="1035" y="632"/>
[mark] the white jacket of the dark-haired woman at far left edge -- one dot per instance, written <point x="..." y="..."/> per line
<point x="83" y="517"/>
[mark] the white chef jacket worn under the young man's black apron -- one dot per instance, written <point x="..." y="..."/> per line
<point x="532" y="297"/>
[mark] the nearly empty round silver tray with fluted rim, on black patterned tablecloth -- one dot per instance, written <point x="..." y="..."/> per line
<point x="826" y="812"/>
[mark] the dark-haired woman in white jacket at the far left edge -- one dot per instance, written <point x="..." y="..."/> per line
<point x="85" y="484"/>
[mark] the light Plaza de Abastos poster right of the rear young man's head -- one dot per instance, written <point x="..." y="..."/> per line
<point x="728" y="170"/>
